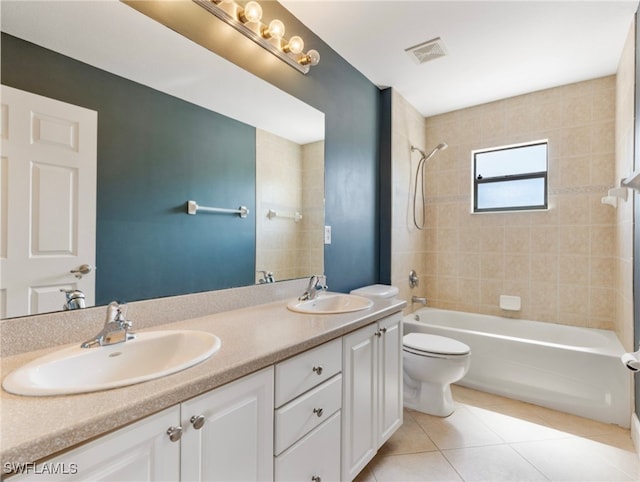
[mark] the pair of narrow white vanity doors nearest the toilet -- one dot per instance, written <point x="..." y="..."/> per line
<point x="372" y="391"/>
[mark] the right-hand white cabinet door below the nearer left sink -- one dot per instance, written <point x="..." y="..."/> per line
<point x="236" y="440"/>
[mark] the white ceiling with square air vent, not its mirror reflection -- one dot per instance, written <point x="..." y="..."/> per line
<point x="495" y="49"/>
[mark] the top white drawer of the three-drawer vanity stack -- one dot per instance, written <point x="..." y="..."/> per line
<point x="297" y="375"/>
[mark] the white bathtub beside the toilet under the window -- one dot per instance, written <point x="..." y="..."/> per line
<point x="571" y="369"/>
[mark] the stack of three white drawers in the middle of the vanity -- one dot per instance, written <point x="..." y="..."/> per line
<point x="308" y="415"/>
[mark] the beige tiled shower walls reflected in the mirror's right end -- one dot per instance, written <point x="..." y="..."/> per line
<point x="290" y="206"/>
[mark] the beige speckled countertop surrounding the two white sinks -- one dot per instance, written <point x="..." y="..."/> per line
<point x="32" y="428"/>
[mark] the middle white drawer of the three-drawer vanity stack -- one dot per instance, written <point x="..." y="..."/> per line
<point x="298" y="417"/>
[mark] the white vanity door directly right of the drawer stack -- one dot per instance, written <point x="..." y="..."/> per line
<point x="359" y="403"/>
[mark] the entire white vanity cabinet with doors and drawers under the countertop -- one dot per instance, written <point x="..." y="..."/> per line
<point x="318" y="416"/>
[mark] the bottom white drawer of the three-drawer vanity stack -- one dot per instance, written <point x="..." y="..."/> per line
<point x="316" y="455"/>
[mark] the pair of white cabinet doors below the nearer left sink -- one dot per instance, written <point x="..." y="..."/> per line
<point x="222" y="435"/>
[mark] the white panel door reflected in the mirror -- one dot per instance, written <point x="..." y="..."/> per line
<point x="48" y="201"/>
